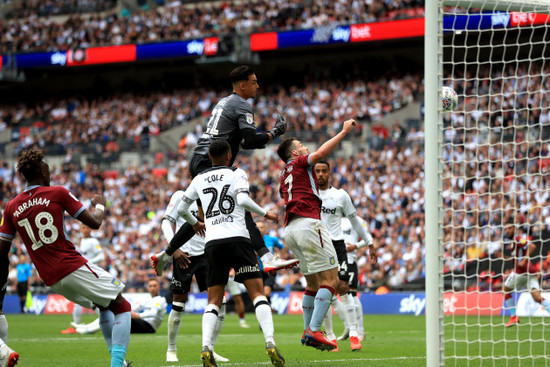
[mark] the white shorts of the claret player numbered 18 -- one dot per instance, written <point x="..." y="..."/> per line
<point x="89" y="284"/>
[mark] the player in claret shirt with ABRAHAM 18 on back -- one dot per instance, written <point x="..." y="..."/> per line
<point x="37" y="215"/>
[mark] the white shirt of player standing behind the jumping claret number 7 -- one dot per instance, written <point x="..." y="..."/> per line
<point x="336" y="204"/>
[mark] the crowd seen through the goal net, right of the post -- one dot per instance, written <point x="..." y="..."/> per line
<point x="496" y="162"/>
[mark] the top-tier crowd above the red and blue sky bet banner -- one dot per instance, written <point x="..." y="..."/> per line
<point x="33" y="33"/>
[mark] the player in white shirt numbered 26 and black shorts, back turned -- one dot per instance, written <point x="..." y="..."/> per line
<point x="224" y="193"/>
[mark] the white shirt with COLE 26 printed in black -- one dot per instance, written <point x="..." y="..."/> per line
<point x="217" y="189"/>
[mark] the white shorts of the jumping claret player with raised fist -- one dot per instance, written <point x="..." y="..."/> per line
<point x="310" y="242"/>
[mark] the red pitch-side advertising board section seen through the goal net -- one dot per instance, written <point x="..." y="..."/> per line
<point x="473" y="303"/>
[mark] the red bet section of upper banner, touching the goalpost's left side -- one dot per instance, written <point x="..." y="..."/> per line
<point x="387" y="30"/>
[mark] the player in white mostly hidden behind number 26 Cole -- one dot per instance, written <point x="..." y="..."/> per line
<point x="189" y="261"/>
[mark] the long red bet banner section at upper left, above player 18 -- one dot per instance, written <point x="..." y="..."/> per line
<point x="101" y="55"/>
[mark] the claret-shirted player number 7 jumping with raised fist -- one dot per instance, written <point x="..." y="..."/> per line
<point x="306" y="235"/>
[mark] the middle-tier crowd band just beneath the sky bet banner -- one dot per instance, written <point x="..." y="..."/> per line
<point x="101" y="125"/>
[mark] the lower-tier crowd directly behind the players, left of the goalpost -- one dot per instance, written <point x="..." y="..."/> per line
<point x="137" y="199"/>
